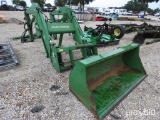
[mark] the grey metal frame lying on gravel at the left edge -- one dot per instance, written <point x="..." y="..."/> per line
<point x="7" y="56"/>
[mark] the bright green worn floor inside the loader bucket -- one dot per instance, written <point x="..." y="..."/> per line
<point x="107" y="94"/>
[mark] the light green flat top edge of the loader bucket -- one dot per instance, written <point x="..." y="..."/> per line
<point x="101" y="57"/>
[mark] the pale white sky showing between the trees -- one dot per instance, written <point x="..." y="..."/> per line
<point x="98" y="3"/>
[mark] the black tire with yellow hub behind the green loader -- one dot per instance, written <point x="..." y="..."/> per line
<point x="118" y="31"/>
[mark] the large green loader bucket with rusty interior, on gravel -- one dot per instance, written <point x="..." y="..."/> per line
<point x="101" y="82"/>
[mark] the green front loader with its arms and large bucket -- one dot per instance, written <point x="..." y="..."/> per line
<point x="100" y="82"/>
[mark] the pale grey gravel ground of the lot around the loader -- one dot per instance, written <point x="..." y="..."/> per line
<point x="28" y="85"/>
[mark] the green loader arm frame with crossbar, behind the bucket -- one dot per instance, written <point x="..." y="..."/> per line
<point x="48" y="27"/>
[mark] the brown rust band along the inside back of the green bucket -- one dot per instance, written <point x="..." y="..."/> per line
<point x="118" y="70"/>
